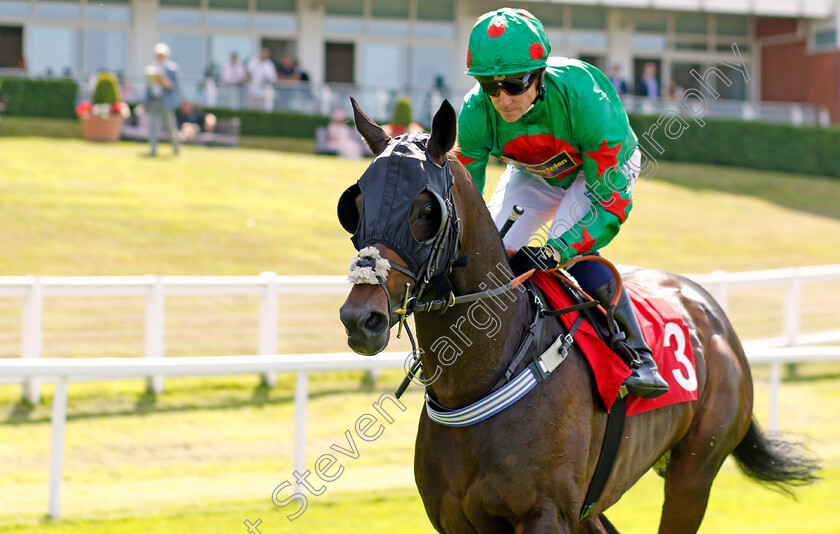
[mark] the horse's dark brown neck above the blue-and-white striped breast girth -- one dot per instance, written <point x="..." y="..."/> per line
<point x="471" y="345"/>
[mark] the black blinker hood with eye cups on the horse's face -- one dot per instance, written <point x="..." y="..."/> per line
<point x="389" y="188"/>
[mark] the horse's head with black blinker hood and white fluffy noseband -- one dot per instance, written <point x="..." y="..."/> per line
<point x="402" y="218"/>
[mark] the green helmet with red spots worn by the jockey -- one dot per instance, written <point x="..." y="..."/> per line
<point x="507" y="41"/>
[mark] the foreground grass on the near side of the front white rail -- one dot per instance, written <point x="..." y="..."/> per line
<point x="206" y="455"/>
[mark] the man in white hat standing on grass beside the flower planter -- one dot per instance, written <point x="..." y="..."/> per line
<point x="162" y="97"/>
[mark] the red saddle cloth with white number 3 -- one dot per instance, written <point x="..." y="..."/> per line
<point x="665" y="333"/>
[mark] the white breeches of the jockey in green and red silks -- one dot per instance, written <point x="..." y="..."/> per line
<point x="545" y="205"/>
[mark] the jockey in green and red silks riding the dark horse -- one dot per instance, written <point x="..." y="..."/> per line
<point x="548" y="119"/>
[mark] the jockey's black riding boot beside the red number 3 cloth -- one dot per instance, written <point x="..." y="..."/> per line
<point x="628" y="342"/>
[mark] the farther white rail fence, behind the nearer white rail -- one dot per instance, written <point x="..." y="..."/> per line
<point x="36" y="294"/>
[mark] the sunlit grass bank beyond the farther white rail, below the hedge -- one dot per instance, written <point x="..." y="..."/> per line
<point x="77" y="208"/>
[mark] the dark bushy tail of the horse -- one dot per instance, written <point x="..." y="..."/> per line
<point x="774" y="462"/>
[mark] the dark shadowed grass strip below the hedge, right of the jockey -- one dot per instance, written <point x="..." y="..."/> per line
<point x="816" y="195"/>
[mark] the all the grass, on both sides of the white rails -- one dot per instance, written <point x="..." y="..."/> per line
<point x="206" y="455"/>
